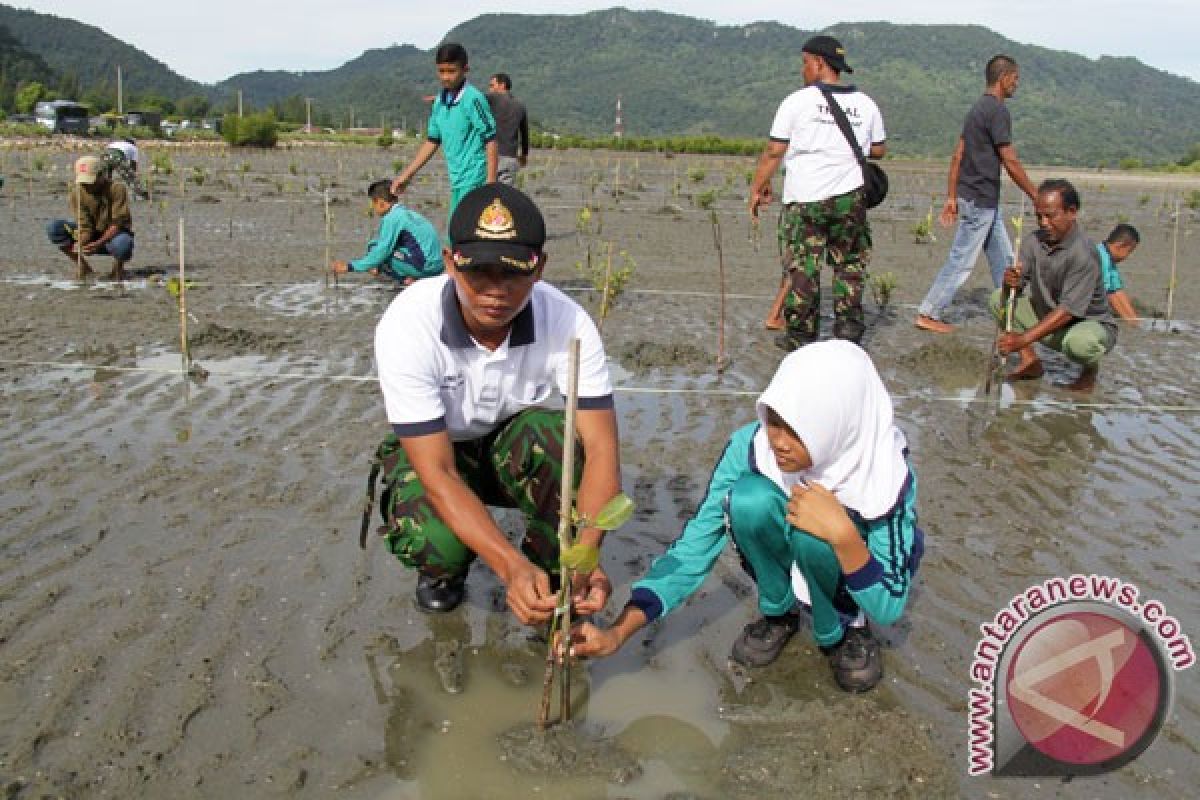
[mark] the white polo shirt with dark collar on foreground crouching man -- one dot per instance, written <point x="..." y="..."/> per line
<point x="435" y="377"/>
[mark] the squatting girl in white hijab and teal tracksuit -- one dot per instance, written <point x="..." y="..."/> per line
<point x="821" y="502"/>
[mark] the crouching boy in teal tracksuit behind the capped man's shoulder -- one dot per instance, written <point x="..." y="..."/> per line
<point x="406" y="248"/>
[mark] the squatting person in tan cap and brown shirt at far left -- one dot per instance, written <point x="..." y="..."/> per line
<point x="103" y="226"/>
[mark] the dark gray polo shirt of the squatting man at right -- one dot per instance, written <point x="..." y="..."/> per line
<point x="1067" y="275"/>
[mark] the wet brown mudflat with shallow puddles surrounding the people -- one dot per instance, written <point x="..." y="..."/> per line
<point x="185" y="611"/>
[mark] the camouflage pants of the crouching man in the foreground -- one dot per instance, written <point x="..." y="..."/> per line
<point x="518" y="466"/>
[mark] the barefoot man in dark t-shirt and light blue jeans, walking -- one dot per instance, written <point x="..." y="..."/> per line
<point x="974" y="194"/>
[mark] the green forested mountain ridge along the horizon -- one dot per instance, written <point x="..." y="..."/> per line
<point x="683" y="76"/>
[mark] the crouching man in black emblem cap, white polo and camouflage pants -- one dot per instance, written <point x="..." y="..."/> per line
<point x="469" y="363"/>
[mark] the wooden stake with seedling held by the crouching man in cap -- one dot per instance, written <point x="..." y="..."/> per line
<point x="557" y="652"/>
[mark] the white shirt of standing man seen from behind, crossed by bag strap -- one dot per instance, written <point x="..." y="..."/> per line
<point x="819" y="161"/>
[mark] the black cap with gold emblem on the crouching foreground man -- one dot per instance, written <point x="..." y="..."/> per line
<point x="497" y="225"/>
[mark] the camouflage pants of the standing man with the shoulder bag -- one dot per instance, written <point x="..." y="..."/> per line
<point x="833" y="231"/>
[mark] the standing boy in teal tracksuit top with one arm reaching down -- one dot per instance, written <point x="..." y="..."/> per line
<point x="463" y="125"/>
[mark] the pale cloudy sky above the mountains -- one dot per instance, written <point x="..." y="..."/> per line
<point x="212" y="40"/>
